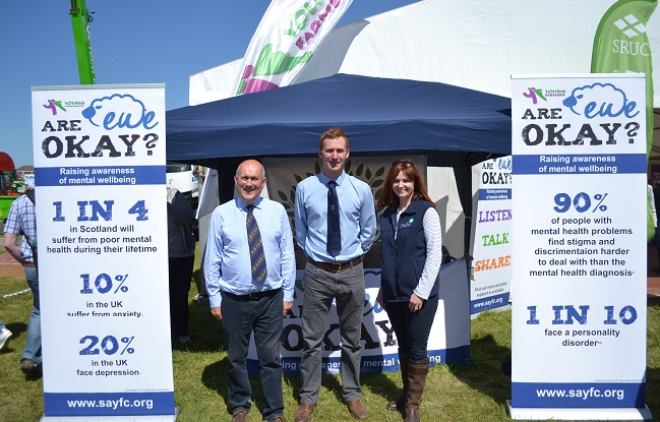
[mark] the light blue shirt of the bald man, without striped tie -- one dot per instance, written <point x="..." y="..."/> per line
<point x="227" y="266"/>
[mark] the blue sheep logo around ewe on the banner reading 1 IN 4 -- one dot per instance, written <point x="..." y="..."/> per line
<point x="119" y="111"/>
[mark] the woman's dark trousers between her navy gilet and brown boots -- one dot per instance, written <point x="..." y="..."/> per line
<point x="412" y="329"/>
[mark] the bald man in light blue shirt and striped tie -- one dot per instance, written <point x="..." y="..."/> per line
<point x="250" y="273"/>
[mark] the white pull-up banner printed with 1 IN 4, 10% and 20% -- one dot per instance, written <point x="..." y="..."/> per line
<point x="99" y="157"/>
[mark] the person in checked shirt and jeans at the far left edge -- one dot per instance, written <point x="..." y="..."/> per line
<point x="22" y="219"/>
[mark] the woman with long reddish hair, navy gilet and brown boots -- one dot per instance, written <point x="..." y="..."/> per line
<point x="411" y="255"/>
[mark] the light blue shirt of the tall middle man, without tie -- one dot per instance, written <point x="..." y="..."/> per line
<point x="357" y="217"/>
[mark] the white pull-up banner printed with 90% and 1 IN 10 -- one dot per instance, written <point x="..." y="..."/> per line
<point x="579" y="247"/>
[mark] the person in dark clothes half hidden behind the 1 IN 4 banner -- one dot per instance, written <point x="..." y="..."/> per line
<point x="181" y="256"/>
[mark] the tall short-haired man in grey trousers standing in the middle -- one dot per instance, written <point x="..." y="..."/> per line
<point x="335" y="226"/>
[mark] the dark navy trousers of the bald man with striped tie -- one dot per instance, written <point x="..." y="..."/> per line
<point x="240" y="316"/>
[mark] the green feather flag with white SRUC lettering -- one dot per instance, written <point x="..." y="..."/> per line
<point x="621" y="45"/>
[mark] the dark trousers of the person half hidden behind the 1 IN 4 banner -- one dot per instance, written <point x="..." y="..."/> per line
<point x="180" y="276"/>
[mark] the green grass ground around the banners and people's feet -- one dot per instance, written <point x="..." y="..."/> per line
<point x="475" y="392"/>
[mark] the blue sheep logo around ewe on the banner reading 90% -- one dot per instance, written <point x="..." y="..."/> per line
<point x="600" y="100"/>
